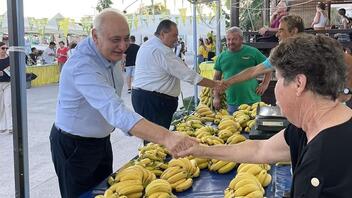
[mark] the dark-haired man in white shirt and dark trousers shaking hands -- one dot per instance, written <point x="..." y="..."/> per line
<point x="157" y="76"/>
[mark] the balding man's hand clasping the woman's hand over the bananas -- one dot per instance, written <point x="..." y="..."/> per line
<point x="177" y="142"/>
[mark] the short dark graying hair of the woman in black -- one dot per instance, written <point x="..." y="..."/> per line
<point x="319" y="58"/>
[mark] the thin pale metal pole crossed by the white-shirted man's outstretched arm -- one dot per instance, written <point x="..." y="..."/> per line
<point x="195" y="64"/>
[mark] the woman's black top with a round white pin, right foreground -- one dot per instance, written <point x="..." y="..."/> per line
<point x="323" y="167"/>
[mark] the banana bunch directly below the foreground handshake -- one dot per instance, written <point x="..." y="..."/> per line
<point x="180" y="173"/>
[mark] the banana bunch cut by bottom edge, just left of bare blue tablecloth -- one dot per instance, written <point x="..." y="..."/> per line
<point x="159" y="188"/>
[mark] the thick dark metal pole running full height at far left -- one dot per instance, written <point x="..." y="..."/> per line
<point x="18" y="94"/>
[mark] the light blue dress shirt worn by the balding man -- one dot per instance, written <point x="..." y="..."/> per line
<point x="89" y="102"/>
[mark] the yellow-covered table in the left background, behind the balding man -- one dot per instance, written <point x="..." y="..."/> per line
<point x="46" y="74"/>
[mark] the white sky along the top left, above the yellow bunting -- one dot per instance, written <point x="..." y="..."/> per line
<point x="78" y="8"/>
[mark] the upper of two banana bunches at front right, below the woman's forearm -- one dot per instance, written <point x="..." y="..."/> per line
<point x="260" y="171"/>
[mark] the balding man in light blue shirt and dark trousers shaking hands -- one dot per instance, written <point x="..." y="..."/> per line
<point x="89" y="108"/>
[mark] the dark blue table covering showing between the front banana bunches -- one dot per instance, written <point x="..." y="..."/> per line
<point x="212" y="185"/>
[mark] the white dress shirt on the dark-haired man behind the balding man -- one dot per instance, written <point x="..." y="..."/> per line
<point x="159" y="69"/>
